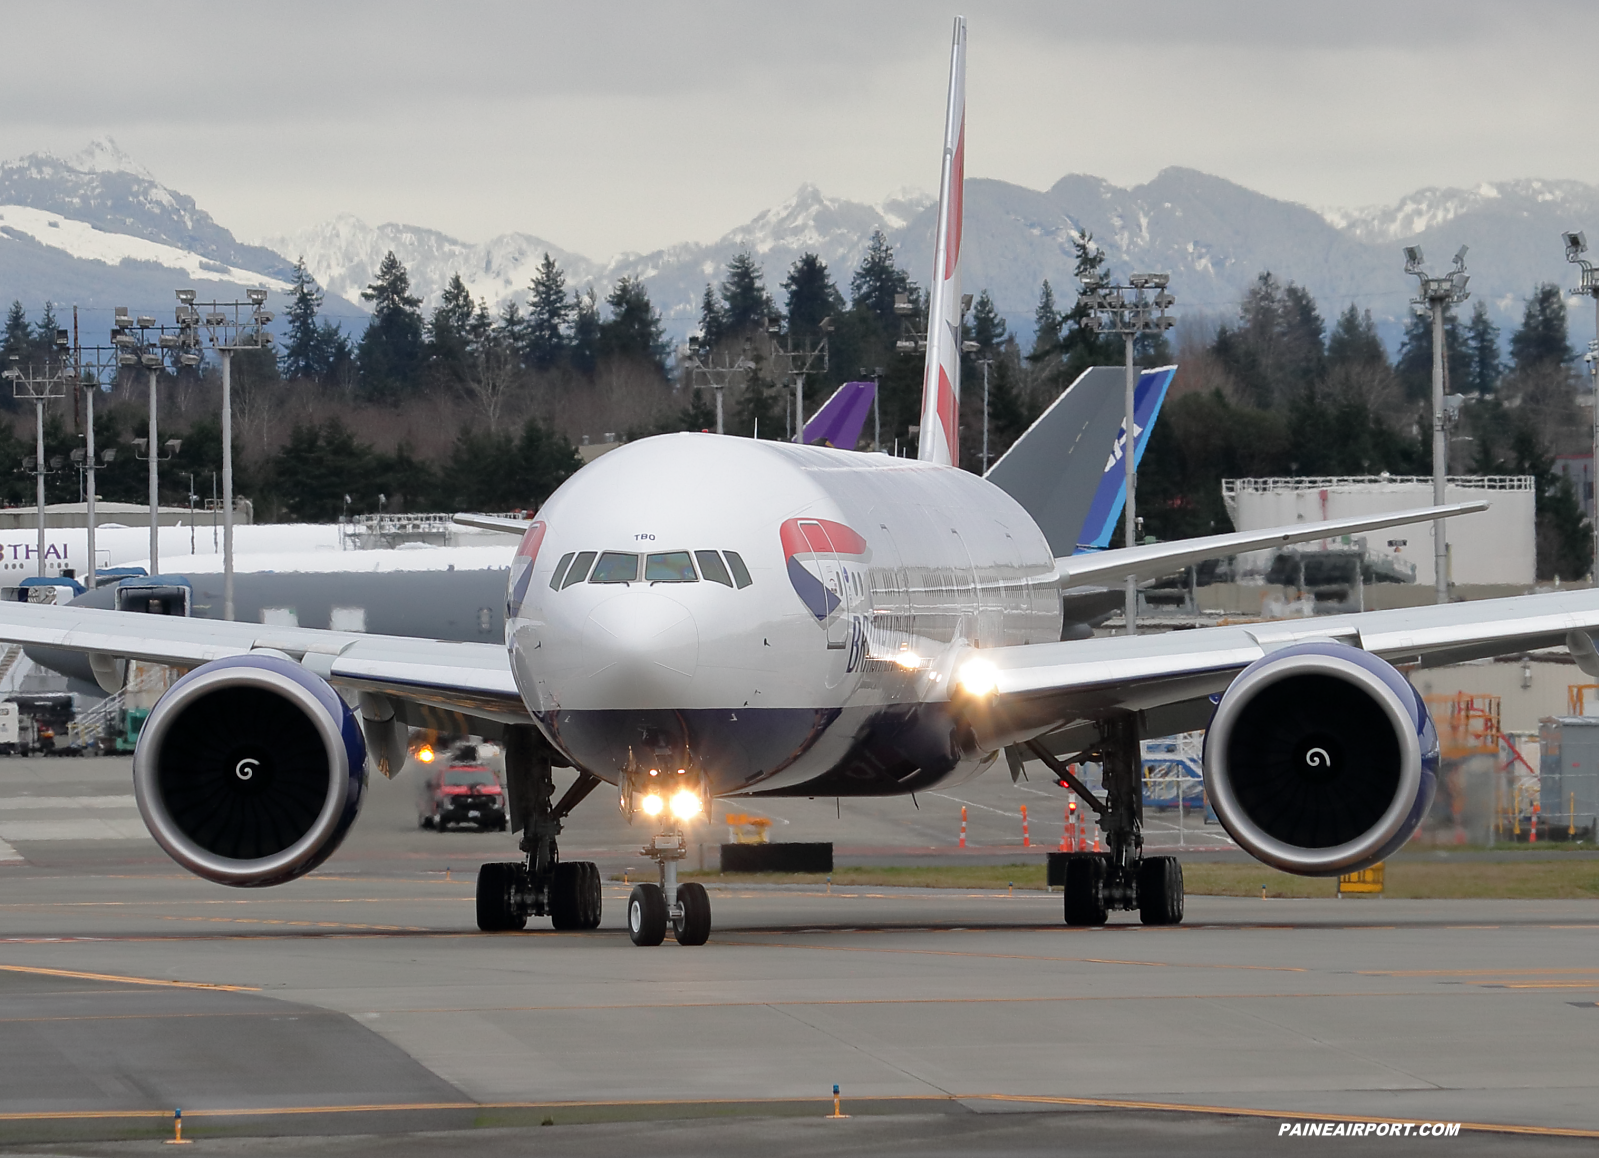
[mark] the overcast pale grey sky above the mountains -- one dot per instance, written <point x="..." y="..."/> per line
<point x="639" y="126"/>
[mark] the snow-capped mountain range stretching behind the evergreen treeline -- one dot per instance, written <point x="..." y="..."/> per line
<point x="98" y="230"/>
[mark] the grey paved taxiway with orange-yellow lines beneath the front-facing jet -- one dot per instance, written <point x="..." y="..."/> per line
<point x="359" y="1010"/>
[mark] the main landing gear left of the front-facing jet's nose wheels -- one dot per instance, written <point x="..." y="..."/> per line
<point x="567" y="892"/>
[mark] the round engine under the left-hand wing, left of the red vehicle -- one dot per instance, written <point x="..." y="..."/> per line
<point x="250" y="772"/>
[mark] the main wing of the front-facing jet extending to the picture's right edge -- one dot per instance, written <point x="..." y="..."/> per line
<point x="1051" y="685"/>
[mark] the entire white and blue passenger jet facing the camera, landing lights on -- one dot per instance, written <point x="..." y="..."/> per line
<point x="696" y="617"/>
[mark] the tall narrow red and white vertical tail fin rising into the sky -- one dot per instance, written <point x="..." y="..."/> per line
<point x="941" y="386"/>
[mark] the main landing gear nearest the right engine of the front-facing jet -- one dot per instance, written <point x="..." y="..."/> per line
<point x="1122" y="877"/>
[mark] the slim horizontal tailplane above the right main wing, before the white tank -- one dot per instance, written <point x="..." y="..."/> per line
<point x="1158" y="559"/>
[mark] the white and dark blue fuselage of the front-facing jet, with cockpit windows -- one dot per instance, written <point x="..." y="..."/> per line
<point x="780" y="618"/>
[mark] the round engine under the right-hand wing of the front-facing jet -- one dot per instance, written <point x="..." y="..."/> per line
<point x="1322" y="761"/>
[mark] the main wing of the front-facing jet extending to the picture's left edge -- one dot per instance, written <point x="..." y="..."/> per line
<point x="461" y="677"/>
